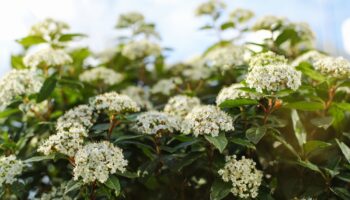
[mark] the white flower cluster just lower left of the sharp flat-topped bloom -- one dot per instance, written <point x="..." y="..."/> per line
<point x="82" y="114"/>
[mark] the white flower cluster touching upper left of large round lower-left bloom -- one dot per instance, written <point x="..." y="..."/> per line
<point x="68" y="140"/>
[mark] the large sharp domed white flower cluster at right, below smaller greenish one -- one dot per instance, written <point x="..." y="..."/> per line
<point x="273" y="78"/>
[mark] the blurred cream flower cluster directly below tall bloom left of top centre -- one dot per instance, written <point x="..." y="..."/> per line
<point x="141" y="49"/>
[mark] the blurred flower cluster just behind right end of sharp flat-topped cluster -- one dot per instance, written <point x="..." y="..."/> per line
<point x="139" y="95"/>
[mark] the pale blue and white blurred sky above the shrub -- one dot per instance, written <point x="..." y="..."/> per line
<point x="175" y="21"/>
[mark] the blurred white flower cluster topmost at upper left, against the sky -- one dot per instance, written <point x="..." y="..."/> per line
<point x="48" y="28"/>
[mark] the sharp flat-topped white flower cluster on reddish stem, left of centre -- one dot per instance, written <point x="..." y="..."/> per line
<point x="114" y="103"/>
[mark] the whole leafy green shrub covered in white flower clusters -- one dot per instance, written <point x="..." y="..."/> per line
<point x="242" y="120"/>
